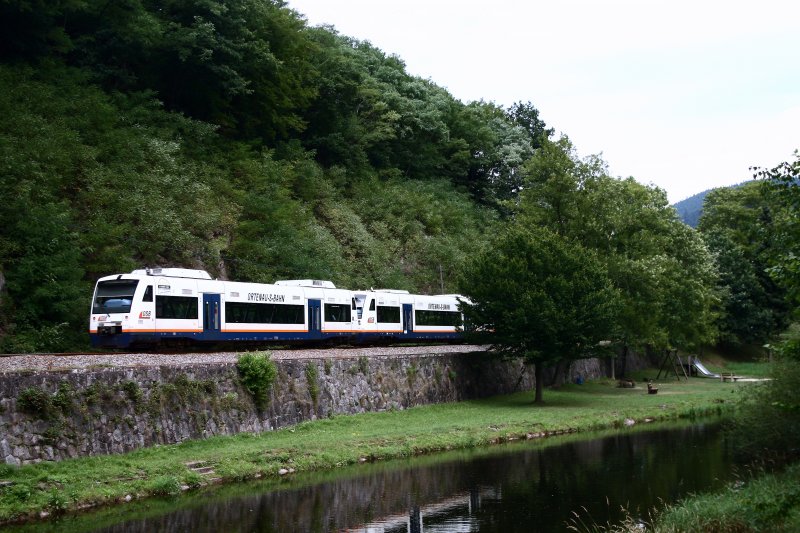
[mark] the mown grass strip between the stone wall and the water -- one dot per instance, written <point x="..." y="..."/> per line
<point x="68" y="485"/>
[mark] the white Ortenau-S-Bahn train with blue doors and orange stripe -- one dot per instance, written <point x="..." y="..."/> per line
<point x="162" y="306"/>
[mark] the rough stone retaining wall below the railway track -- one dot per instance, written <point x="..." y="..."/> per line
<point x="53" y="415"/>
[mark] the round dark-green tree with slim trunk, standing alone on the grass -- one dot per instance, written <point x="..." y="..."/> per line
<point x="539" y="296"/>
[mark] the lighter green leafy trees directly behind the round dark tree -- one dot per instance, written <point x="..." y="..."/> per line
<point x="663" y="272"/>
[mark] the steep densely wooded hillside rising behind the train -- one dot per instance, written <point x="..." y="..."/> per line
<point x="237" y="140"/>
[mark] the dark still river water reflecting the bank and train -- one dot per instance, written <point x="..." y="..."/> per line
<point x="526" y="487"/>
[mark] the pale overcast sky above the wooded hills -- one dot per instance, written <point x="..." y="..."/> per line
<point x="684" y="95"/>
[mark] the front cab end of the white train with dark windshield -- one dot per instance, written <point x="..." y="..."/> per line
<point x="112" y="318"/>
